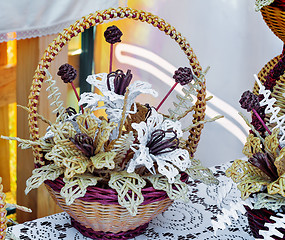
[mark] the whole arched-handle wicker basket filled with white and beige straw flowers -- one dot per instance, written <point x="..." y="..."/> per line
<point x="112" y="174"/>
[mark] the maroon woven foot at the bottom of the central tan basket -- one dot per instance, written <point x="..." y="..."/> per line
<point x="88" y="232"/>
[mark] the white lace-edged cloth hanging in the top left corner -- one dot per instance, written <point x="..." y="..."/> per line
<point x="30" y="18"/>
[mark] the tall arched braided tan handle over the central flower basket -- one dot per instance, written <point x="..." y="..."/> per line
<point x="97" y="18"/>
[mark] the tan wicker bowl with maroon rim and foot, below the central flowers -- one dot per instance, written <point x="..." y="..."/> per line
<point x="106" y="216"/>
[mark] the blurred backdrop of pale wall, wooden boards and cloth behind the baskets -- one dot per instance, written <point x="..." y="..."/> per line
<point x="227" y="35"/>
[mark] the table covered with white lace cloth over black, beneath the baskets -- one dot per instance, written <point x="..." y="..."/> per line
<point x="181" y="221"/>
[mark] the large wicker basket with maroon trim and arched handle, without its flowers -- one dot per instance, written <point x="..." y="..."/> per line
<point x="108" y="220"/>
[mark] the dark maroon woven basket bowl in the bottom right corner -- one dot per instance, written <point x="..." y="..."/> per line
<point x="256" y="220"/>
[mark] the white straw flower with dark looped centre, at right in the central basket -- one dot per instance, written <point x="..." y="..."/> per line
<point x="158" y="142"/>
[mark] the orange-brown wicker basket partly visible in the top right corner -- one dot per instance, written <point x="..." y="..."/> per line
<point x="275" y="20"/>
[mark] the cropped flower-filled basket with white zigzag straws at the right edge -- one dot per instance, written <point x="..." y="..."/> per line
<point x="261" y="177"/>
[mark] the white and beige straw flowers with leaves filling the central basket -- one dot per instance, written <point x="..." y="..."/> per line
<point x="133" y="146"/>
